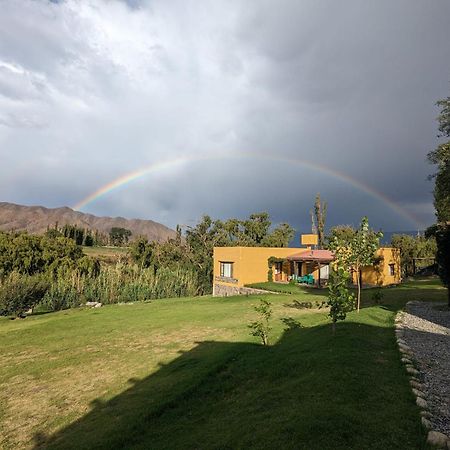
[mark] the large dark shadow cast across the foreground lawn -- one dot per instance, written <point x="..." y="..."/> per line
<point x="308" y="391"/>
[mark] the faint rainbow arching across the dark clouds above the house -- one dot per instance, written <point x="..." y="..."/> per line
<point x="162" y="165"/>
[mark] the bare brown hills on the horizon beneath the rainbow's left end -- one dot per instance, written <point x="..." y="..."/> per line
<point x="36" y="219"/>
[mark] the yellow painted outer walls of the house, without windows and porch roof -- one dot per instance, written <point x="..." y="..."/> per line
<point x="250" y="265"/>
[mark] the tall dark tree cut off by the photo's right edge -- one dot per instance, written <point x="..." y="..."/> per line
<point x="441" y="157"/>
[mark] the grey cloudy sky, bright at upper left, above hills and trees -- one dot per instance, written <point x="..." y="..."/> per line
<point x="223" y="107"/>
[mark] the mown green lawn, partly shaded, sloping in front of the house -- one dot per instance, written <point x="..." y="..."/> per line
<point x="185" y="373"/>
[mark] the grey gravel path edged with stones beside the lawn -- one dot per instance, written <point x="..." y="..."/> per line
<point x="427" y="332"/>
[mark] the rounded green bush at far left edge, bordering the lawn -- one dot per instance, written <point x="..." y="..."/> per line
<point x="19" y="293"/>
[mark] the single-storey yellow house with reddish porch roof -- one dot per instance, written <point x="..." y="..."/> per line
<point x="236" y="267"/>
